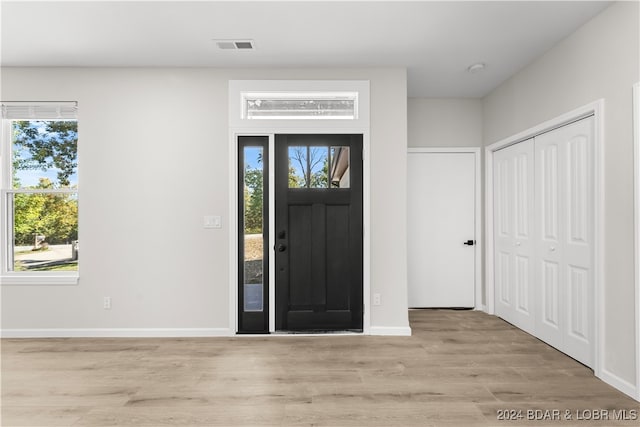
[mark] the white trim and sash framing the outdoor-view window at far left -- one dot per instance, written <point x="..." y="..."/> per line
<point x="26" y="278"/>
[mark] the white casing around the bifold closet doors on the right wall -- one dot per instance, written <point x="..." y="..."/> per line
<point x="595" y="109"/>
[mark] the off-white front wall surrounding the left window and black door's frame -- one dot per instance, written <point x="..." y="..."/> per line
<point x="153" y="154"/>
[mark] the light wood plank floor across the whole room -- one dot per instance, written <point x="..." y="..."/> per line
<point x="458" y="369"/>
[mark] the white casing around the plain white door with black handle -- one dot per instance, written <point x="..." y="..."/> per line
<point x="478" y="209"/>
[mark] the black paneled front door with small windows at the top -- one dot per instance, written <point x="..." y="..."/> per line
<point x="318" y="236"/>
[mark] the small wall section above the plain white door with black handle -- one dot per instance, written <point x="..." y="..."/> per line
<point x="444" y="122"/>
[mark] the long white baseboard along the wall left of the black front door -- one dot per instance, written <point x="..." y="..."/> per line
<point x="117" y="333"/>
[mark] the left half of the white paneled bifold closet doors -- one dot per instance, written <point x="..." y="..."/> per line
<point x="513" y="225"/>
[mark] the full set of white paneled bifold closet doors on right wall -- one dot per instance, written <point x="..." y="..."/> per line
<point x="543" y="236"/>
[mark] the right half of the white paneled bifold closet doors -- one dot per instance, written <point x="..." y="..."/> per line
<point x="564" y="243"/>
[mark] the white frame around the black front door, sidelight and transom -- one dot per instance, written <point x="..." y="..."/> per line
<point x="242" y="127"/>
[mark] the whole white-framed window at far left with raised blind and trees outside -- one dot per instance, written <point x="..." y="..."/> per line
<point x="39" y="164"/>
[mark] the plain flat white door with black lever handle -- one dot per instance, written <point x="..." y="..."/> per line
<point x="441" y="224"/>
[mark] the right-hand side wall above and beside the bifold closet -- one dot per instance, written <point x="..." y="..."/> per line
<point x="600" y="60"/>
